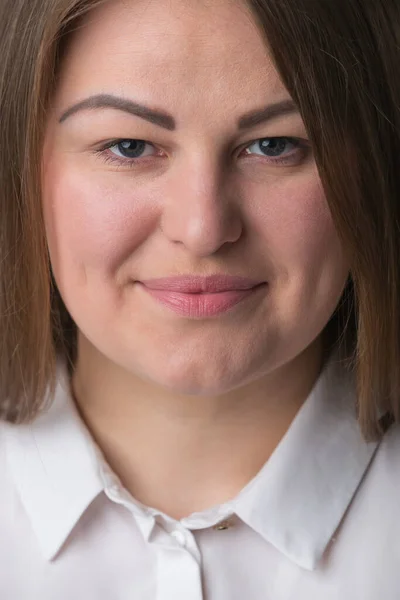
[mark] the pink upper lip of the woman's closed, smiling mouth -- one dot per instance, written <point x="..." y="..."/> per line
<point x="193" y="284"/>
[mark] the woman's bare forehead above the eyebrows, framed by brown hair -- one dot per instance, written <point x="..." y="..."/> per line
<point x="175" y="49"/>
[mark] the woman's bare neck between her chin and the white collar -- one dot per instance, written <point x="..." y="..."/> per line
<point x="183" y="454"/>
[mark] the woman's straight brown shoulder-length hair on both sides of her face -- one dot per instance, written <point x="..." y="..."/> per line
<point x="339" y="60"/>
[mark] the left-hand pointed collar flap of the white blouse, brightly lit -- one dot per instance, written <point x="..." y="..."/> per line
<point x="55" y="468"/>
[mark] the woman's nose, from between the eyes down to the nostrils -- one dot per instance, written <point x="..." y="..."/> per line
<point x="201" y="210"/>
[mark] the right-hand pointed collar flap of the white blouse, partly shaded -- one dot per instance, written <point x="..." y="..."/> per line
<point x="299" y="497"/>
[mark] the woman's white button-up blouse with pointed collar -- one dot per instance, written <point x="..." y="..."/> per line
<point x="319" y="521"/>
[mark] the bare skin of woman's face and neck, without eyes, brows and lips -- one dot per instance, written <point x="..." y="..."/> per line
<point x="186" y="411"/>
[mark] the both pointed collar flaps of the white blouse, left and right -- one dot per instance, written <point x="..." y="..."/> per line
<point x="295" y="502"/>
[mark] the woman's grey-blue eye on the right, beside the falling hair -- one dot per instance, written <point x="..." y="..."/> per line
<point x="278" y="149"/>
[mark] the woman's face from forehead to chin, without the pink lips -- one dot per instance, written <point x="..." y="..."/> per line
<point x="201" y="196"/>
